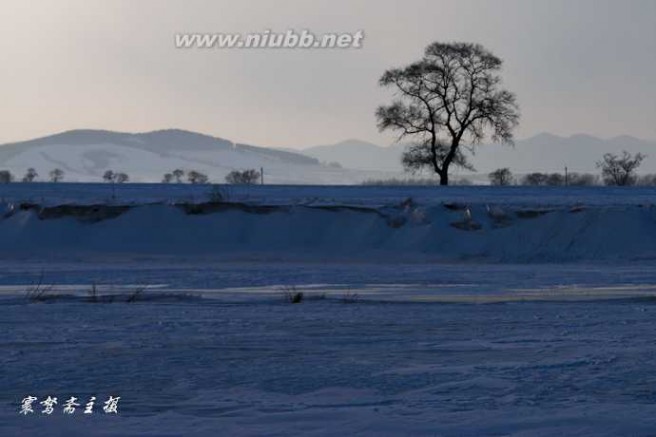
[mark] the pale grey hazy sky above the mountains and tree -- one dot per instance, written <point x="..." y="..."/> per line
<point x="577" y="66"/>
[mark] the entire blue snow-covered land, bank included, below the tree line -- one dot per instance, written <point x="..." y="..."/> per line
<point x="534" y="317"/>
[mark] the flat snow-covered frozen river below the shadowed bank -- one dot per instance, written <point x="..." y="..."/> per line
<point x="450" y="350"/>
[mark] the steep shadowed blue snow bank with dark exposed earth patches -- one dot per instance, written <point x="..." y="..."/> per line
<point x="406" y="231"/>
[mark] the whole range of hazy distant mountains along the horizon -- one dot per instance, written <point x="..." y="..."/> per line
<point x="85" y="155"/>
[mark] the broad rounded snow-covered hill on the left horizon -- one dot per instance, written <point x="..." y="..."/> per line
<point x="85" y="155"/>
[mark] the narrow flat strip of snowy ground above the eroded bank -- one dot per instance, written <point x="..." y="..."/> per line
<point x="46" y="193"/>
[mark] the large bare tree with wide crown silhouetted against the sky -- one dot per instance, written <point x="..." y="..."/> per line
<point x="452" y="95"/>
